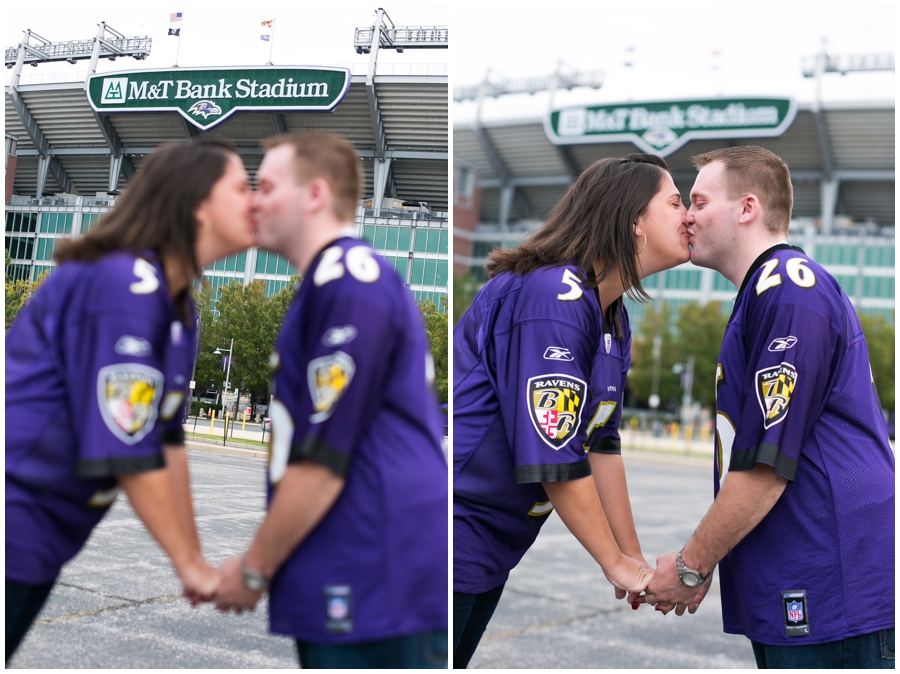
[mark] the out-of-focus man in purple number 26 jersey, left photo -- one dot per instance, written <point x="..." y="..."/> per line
<point x="354" y="545"/>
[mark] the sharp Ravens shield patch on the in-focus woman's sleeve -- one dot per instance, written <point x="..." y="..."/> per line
<point x="555" y="402"/>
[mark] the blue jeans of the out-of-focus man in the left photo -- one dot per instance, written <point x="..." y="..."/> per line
<point x="426" y="650"/>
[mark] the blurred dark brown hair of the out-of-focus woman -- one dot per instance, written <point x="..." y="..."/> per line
<point x="156" y="210"/>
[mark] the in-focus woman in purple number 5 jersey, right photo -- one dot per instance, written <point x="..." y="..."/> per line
<point x="622" y="221"/>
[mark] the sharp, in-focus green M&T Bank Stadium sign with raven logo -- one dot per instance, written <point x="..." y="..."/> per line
<point x="207" y="96"/>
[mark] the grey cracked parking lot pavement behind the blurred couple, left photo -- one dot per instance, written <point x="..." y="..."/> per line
<point x="118" y="603"/>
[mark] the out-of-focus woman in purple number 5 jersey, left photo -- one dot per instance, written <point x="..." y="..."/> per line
<point x="94" y="342"/>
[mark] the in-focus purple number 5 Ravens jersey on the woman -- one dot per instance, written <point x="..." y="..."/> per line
<point x="537" y="383"/>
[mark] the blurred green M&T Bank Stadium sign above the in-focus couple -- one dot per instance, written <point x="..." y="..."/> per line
<point x="663" y="127"/>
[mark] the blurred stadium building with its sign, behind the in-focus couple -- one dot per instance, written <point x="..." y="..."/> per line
<point x="508" y="175"/>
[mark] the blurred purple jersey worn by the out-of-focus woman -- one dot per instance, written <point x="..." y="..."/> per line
<point x="93" y="365"/>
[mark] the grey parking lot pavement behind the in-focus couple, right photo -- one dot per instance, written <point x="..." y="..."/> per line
<point x="558" y="611"/>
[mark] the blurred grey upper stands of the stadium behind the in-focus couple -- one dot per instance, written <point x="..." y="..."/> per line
<point x="840" y="155"/>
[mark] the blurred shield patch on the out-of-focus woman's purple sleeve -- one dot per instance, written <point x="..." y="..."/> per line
<point x="128" y="395"/>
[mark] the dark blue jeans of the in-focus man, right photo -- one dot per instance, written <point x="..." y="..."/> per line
<point x="867" y="651"/>
